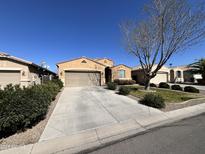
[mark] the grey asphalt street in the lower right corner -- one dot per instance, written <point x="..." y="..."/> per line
<point x="184" y="137"/>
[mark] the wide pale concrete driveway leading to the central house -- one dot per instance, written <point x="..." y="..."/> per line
<point x="84" y="108"/>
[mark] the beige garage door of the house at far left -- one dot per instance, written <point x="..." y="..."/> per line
<point x="9" y="77"/>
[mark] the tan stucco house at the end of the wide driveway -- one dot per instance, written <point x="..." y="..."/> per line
<point x="91" y="72"/>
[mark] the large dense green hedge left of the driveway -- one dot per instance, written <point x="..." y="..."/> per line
<point x="21" y="108"/>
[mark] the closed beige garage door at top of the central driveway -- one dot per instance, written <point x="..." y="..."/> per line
<point x="79" y="79"/>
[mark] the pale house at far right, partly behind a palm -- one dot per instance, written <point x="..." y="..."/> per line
<point x="183" y="74"/>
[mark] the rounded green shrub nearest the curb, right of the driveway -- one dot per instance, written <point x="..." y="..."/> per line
<point x="153" y="100"/>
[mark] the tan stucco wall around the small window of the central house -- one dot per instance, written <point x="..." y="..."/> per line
<point x="121" y="67"/>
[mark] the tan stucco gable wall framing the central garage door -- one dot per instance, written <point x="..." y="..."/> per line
<point x="81" y="64"/>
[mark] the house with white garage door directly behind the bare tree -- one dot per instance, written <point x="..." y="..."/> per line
<point x="162" y="75"/>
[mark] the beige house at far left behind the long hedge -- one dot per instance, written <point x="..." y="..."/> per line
<point x="14" y="70"/>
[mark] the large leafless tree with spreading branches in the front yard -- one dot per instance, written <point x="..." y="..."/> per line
<point x="168" y="27"/>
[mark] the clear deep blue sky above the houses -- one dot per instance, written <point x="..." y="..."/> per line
<point x="59" y="30"/>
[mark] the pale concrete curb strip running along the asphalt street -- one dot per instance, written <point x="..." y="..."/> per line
<point x="91" y="140"/>
